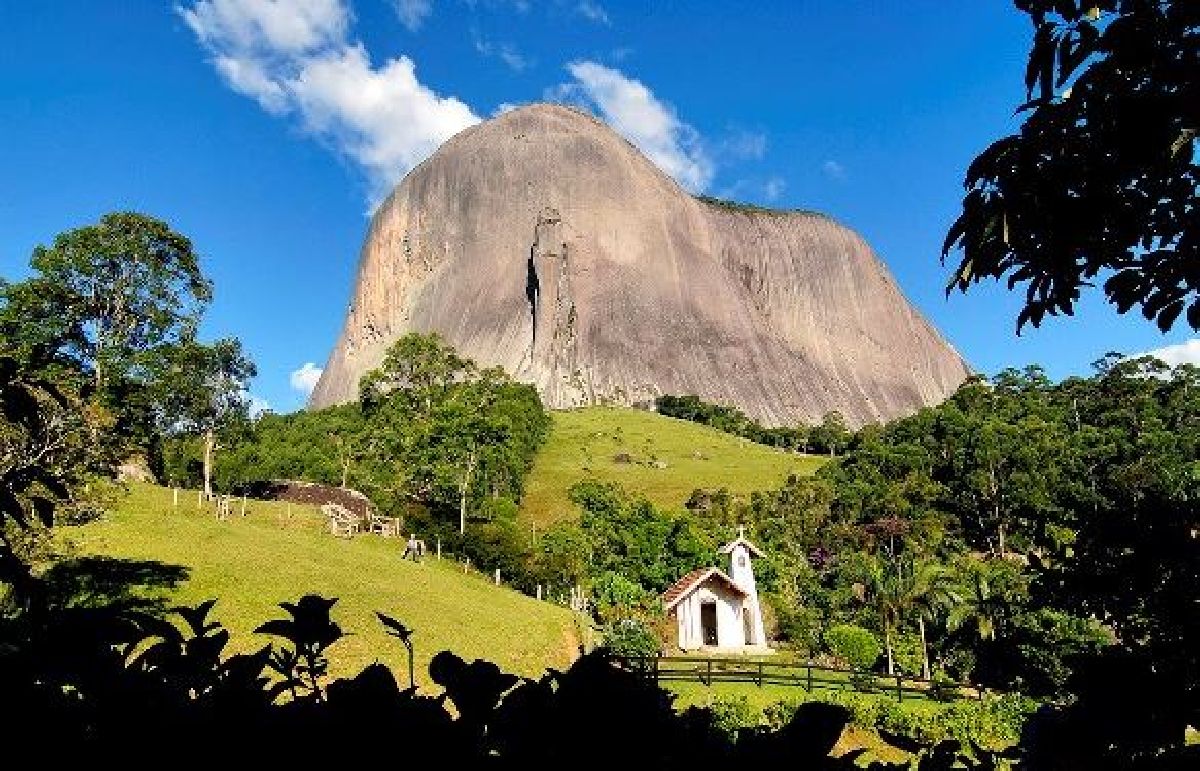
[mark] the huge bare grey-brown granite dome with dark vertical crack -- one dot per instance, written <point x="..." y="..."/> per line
<point x="544" y="243"/>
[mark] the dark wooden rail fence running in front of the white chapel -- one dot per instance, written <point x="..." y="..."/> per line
<point x="808" y="677"/>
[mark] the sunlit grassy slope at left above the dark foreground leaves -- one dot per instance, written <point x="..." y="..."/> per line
<point x="254" y="564"/>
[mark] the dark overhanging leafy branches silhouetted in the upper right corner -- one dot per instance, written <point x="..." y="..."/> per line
<point x="1102" y="180"/>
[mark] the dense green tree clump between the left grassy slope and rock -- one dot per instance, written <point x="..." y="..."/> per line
<point x="435" y="440"/>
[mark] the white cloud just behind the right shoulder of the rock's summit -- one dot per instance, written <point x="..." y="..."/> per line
<point x="634" y="112"/>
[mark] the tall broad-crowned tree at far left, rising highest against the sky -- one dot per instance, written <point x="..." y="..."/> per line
<point x="111" y="298"/>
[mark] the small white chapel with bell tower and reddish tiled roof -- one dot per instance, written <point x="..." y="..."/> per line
<point x="719" y="612"/>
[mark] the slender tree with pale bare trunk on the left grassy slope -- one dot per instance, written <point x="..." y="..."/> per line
<point x="207" y="393"/>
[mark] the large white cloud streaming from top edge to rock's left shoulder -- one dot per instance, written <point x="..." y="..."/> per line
<point x="296" y="57"/>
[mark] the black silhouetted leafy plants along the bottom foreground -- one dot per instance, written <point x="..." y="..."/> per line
<point x="119" y="683"/>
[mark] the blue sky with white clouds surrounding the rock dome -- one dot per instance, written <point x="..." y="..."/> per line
<point x="266" y="130"/>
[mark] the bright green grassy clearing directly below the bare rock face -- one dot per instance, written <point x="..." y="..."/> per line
<point x="662" y="458"/>
